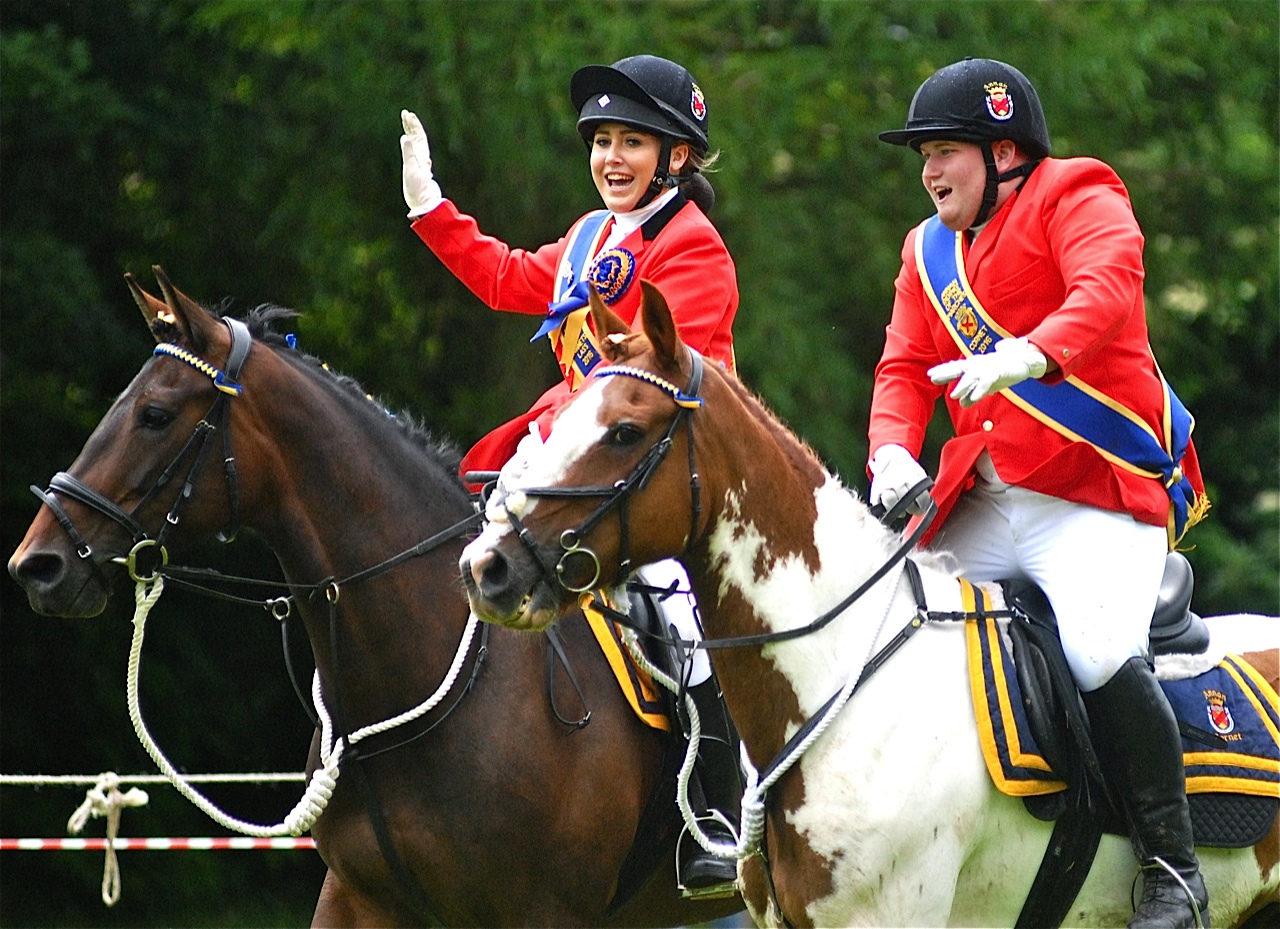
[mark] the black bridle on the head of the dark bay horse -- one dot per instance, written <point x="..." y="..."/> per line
<point x="217" y="418"/>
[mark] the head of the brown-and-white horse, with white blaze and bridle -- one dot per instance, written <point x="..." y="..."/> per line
<point x="600" y="496"/>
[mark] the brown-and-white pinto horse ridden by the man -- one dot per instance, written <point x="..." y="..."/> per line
<point x="892" y="817"/>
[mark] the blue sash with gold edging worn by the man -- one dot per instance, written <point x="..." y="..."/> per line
<point x="1071" y="408"/>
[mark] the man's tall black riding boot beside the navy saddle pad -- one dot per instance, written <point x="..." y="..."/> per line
<point x="1141" y="752"/>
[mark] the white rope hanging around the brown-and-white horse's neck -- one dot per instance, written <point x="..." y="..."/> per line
<point x="752" y="817"/>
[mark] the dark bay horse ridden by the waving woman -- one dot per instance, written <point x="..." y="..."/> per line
<point x="500" y="816"/>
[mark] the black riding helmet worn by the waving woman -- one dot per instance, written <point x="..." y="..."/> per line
<point x="650" y="94"/>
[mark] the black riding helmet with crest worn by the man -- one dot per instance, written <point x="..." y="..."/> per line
<point x="979" y="100"/>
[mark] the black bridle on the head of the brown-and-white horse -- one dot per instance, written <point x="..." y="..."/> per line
<point x="616" y="496"/>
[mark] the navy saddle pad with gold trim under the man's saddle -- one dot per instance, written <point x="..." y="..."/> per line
<point x="1228" y="716"/>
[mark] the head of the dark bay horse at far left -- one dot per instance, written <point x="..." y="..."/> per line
<point x="138" y="483"/>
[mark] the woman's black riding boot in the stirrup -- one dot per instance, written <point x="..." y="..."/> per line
<point x="715" y="793"/>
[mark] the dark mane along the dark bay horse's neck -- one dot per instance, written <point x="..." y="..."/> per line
<point x="263" y="322"/>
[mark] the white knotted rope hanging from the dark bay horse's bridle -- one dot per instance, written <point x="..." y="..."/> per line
<point x="323" y="781"/>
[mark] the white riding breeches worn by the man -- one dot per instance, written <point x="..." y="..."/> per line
<point x="1100" y="570"/>
